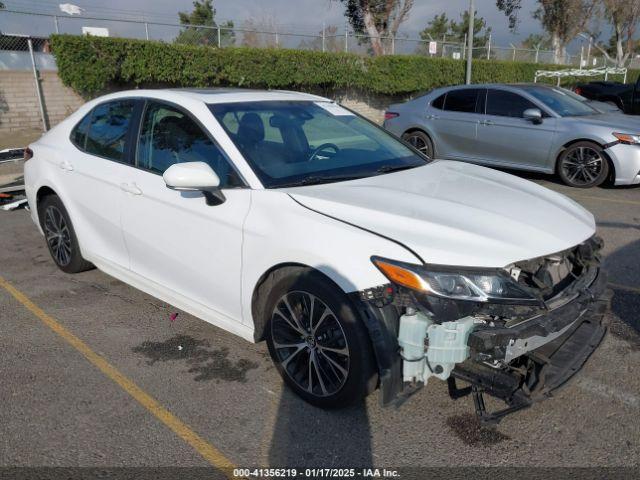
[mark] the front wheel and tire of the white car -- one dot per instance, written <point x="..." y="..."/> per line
<point x="317" y="341"/>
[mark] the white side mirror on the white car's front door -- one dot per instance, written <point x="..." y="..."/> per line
<point x="195" y="176"/>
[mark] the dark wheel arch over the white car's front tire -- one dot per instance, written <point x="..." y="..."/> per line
<point x="263" y="286"/>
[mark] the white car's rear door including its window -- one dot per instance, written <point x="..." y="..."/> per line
<point x="94" y="176"/>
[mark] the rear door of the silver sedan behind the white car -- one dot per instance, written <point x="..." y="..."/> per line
<point x="455" y="125"/>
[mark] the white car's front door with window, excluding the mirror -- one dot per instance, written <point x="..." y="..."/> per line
<point x="174" y="238"/>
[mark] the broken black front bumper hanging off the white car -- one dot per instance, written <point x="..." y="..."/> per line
<point x="526" y="363"/>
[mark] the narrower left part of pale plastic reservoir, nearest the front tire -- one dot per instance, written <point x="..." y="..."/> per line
<point x="411" y="337"/>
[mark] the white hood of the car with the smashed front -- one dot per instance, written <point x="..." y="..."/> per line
<point x="455" y="213"/>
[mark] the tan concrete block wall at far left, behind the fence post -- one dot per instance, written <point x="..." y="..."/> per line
<point x="19" y="109"/>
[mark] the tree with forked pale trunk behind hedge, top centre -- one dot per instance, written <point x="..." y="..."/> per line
<point x="378" y="19"/>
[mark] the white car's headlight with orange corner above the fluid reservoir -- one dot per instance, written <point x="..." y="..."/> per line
<point x="457" y="283"/>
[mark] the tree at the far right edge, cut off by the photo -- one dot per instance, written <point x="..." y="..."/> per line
<point x="624" y="16"/>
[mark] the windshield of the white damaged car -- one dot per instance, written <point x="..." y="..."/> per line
<point x="290" y="143"/>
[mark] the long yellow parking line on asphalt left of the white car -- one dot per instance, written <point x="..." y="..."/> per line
<point x="208" y="451"/>
